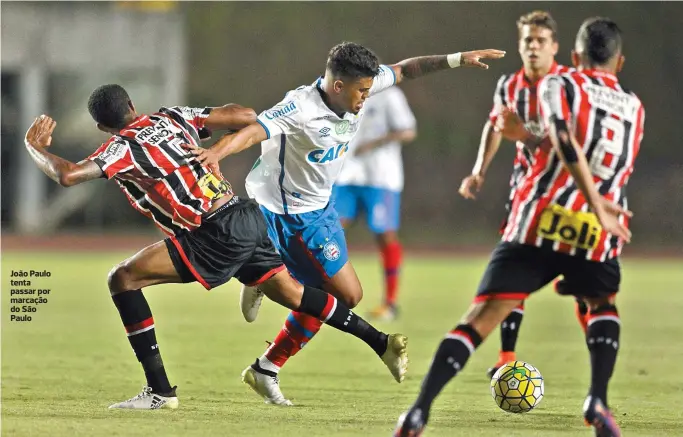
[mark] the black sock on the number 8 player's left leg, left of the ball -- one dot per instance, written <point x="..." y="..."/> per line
<point x="450" y="358"/>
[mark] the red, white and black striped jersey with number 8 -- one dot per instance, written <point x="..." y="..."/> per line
<point x="608" y="123"/>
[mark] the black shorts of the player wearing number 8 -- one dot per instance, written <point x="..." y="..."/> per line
<point x="517" y="270"/>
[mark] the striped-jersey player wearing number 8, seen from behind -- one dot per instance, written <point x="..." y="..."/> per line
<point x="569" y="219"/>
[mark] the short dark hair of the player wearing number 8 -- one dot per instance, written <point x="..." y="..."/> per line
<point x="600" y="38"/>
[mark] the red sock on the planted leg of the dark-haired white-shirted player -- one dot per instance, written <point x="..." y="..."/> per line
<point x="298" y="329"/>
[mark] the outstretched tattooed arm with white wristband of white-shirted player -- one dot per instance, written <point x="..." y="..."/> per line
<point x="417" y="67"/>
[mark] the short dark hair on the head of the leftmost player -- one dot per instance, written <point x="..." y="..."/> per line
<point x="108" y="105"/>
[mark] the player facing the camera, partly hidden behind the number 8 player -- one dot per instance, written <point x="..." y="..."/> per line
<point x="518" y="92"/>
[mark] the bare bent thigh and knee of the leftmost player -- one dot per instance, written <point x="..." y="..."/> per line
<point x="150" y="266"/>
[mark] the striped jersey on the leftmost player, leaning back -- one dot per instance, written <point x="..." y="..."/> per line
<point x="159" y="178"/>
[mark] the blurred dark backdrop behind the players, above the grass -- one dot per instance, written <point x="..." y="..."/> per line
<point x="211" y="53"/>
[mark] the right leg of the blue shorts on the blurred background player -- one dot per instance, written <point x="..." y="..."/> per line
<point x="383" y="209"/>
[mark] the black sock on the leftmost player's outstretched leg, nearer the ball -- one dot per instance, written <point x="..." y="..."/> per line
<point x="327" y="308"/>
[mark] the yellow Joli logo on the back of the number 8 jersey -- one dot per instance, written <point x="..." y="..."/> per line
<point x="575" y="228"/>
